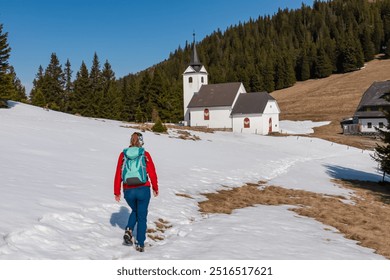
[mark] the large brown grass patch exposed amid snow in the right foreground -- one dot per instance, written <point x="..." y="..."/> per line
<point x="366" y="220"/>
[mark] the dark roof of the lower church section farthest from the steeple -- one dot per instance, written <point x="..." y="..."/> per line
<point x="251" y="103"/>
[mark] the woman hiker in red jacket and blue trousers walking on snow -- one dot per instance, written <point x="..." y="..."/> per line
<point x="136" y="188"/>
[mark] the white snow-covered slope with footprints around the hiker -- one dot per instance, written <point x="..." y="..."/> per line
<point x="57" y="202"/>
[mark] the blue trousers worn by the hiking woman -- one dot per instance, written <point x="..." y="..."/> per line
<point x="138" y="200"/>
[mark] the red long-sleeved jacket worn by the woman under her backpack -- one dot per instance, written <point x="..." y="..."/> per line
<point x="150" y="169"/>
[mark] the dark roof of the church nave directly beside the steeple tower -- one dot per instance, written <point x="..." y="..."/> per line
<point x="215" y="95"/>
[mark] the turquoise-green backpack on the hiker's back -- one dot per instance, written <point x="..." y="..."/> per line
<point x="134" y="166"/>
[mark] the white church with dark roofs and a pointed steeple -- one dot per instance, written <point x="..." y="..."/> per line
<point x="226" y="105"/>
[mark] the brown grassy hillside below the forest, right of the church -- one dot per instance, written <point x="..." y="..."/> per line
<point x="332" y="99"/>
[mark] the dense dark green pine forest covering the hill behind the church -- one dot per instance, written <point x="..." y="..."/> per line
<point x="265" y="54"/>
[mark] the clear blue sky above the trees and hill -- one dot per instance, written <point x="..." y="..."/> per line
<point x="131" y="35"/>
